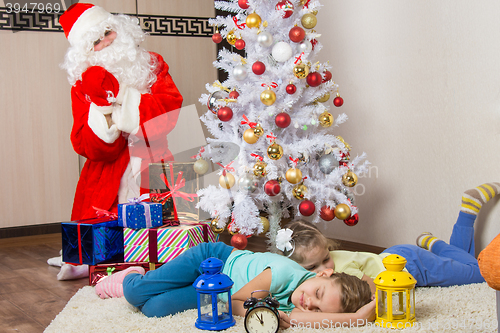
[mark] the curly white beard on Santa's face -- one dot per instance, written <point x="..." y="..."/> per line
<point x="131" y="65"/>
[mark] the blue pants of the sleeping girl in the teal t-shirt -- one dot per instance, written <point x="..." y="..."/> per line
<point x="168" y="289"/>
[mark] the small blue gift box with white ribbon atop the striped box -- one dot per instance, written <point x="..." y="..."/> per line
<point x="140" y="215"/>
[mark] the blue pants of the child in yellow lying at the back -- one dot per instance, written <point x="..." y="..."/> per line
<point x="447" y="264"/>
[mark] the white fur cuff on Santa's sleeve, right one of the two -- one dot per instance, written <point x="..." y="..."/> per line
<point x="126" y="117"/>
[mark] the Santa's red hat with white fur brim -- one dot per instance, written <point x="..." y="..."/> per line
<point x="79" y="18"/>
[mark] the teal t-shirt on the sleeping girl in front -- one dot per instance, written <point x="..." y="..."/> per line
<point x="242" y="266"/>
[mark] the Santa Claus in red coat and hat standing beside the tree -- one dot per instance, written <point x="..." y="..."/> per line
<point x="124" y="104"/>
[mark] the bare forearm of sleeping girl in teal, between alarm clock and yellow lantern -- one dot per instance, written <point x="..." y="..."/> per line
<point x="329" y="320"/>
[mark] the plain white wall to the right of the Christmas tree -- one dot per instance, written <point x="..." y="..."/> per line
<point x="421" y="85"/>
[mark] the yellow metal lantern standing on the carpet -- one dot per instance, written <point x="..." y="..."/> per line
<point x="395" y="294"/>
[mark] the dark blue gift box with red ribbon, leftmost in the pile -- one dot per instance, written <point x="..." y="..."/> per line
<point x="92" y="241"/>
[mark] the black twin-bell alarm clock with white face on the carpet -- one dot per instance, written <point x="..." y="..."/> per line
<point x="262" y="314"/>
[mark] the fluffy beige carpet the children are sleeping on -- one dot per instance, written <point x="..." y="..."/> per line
<point x="469" y="308"/>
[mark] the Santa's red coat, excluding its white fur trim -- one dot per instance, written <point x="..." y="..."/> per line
<point x="107" y="161"/>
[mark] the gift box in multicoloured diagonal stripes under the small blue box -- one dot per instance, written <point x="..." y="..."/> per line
<point x="168" y="242"/>
